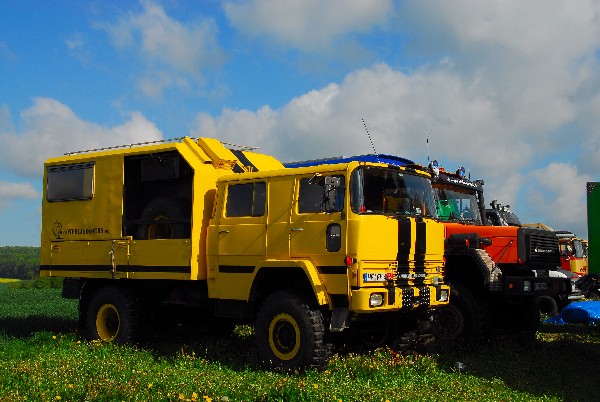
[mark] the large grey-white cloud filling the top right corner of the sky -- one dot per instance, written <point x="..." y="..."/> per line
<point x="519" y="50"/>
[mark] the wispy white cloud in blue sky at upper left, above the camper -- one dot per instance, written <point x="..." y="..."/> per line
<point x="168" y="47"/>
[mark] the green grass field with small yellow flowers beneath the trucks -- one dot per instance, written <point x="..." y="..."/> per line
<point x="43" y="358"/>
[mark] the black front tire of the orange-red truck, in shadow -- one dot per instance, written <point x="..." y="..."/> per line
<point x="465" y="319"/>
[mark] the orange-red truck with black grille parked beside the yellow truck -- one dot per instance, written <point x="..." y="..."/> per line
<point x="496" y="272"/>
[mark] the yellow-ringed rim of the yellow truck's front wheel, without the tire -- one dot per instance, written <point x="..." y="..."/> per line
<point x="284" y="336"/>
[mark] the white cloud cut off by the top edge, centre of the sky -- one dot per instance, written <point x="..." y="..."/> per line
<point x="307" y="24"/>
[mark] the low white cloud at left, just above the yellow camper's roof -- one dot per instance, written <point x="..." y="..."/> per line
<point x="49" y="128"/>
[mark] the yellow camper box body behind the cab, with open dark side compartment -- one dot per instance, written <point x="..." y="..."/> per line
<point x="93" y="202"/>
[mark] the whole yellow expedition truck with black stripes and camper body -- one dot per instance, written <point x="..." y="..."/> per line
<point x="301" y="253"/>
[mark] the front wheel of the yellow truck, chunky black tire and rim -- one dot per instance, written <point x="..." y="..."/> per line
<point x="290" y="334"/>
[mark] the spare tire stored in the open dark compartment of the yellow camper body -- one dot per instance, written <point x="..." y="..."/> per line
<point x="157" y="210"/>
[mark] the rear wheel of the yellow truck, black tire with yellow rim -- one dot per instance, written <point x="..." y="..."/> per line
<point x="111" y="316"/>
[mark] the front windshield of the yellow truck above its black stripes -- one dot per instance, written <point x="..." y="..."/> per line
<point x="391" y="192"/>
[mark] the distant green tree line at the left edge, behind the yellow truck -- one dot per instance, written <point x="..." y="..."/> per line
<point x="19" y="262"/>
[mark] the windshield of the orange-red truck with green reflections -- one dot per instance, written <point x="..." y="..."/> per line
<point x="458" y="205"/>
